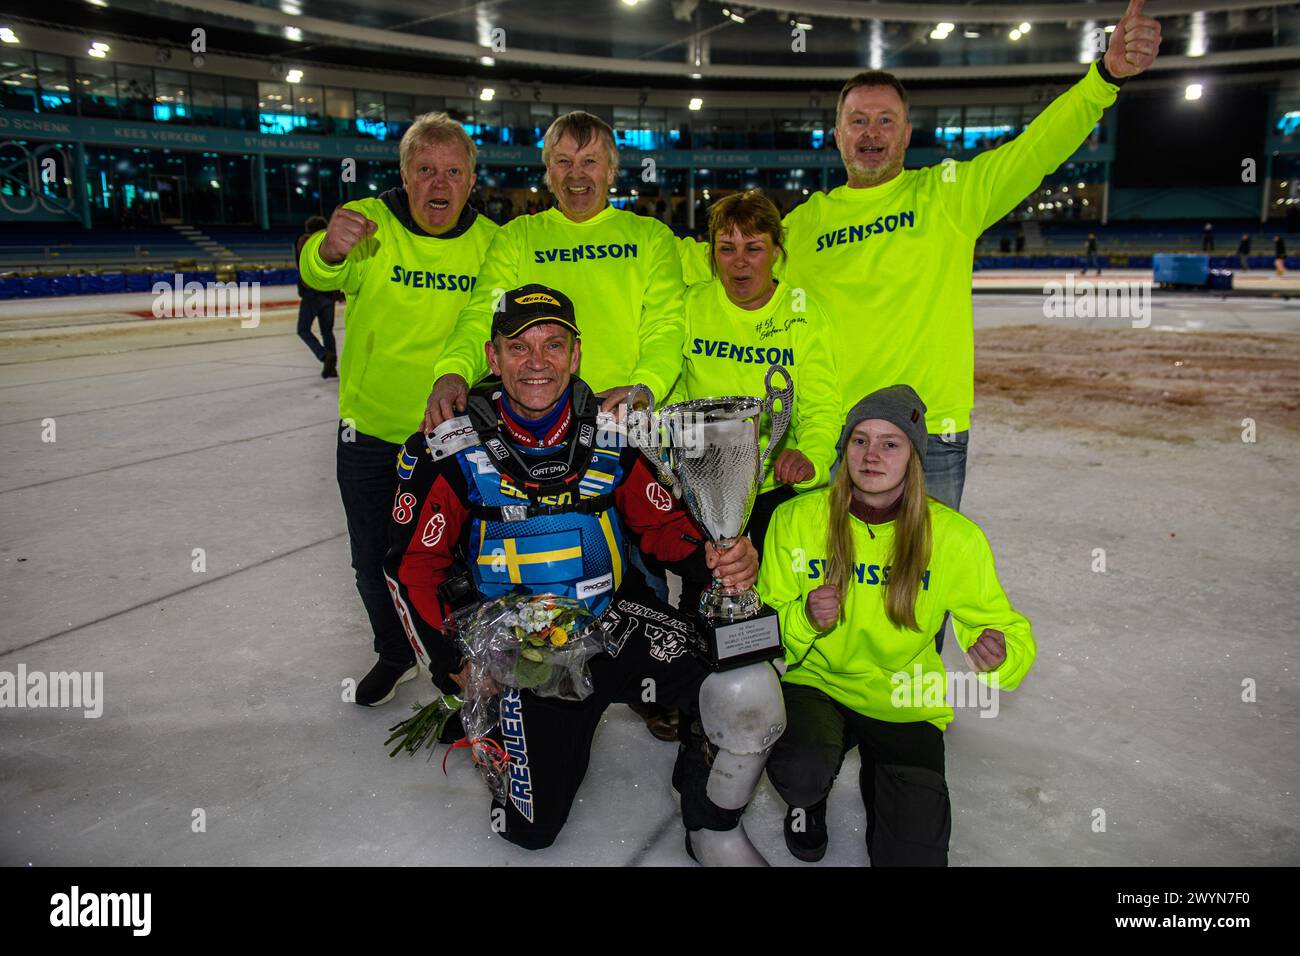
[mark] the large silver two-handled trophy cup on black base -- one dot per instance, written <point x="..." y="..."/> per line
<point x="708" y="452"/>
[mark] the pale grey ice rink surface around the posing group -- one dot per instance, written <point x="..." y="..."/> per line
<point x="223" y="689"/>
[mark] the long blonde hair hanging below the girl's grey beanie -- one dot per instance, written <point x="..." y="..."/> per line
<point x="908" y="557"/>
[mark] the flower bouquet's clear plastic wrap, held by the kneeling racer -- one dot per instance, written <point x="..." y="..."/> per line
<point x="540" y="643"/>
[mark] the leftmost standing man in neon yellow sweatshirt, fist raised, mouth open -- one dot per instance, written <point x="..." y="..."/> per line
<point x="409" y="261"/>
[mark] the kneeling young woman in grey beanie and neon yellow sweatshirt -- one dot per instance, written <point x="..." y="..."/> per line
<point x="861" y="576"/>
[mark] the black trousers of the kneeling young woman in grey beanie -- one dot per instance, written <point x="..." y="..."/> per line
<point x="904" y="790"/>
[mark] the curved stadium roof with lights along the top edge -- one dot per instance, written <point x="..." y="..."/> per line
<point x="681" y="42"/>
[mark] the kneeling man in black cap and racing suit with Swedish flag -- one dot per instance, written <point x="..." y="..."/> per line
<point x="530" y="495"/>
